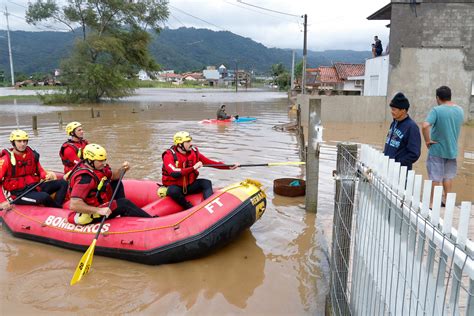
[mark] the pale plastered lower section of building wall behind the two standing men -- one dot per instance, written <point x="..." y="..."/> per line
<point x="422" y="70"/>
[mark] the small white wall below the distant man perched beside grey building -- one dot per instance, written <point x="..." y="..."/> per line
<point x="376" y="76"/>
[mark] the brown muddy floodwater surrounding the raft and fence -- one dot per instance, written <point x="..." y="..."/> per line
<point x="279" y="266"/>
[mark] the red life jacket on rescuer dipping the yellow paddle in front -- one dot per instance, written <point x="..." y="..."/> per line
<point x="97" y="196"/>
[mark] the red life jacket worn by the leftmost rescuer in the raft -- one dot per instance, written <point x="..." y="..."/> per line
<point x="23" y="172"/>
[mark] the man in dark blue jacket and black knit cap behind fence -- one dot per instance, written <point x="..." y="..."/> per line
<point x="403" y="141"/>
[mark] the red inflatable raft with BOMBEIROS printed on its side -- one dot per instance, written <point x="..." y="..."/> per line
<point x="174" y="236"/>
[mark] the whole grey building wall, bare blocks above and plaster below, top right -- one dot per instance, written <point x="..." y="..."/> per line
<point x="432" y="44"/>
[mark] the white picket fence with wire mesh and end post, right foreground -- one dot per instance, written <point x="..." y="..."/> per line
<point x="391" y="253"/>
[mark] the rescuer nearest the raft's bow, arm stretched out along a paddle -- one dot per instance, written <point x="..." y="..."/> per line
<point x="180" y="170"/>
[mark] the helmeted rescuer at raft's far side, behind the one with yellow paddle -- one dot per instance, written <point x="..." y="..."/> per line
<point x="71" y="150"/>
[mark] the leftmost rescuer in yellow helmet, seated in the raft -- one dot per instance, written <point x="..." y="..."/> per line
<point x="20" y="170"/>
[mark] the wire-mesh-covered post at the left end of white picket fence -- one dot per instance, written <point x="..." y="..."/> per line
<point x="342" y="224"/>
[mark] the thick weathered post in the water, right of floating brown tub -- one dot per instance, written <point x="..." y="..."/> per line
<point x="312" y="155"/>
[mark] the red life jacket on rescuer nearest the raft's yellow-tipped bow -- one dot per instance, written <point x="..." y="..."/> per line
<point x="181" y="161"/>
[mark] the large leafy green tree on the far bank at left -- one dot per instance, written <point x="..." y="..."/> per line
<point x="113" y="45"/>
